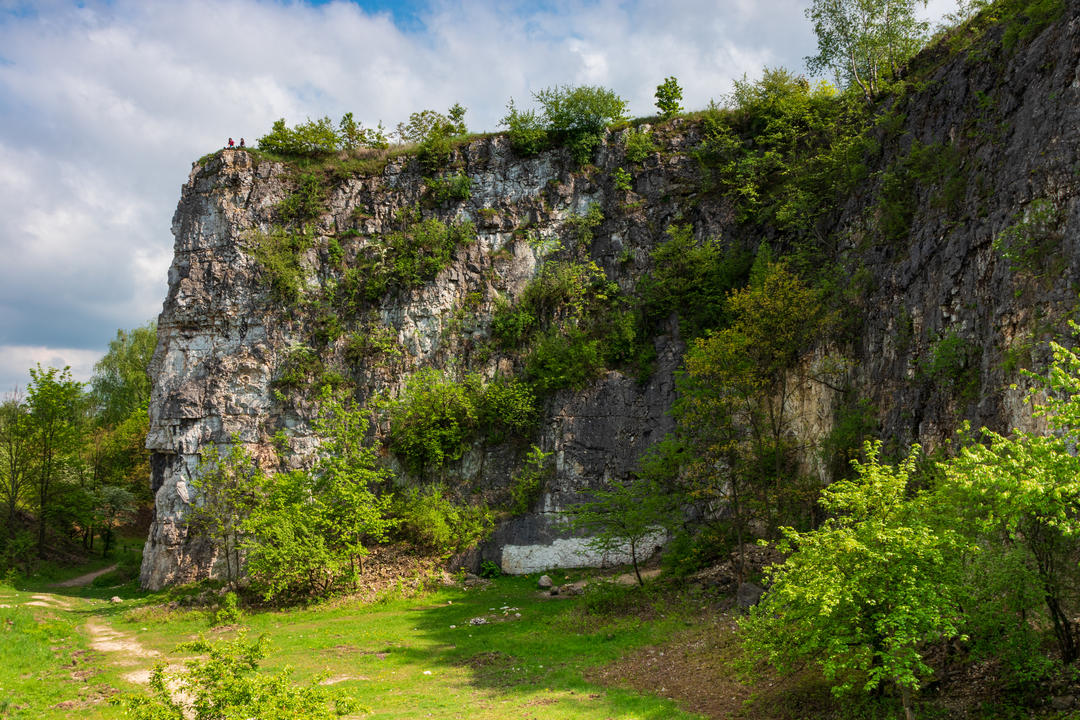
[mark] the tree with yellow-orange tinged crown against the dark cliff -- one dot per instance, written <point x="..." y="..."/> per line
<point x="735" y="411"/>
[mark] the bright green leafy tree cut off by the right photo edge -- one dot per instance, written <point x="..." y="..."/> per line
<point x="1019" y="499"/>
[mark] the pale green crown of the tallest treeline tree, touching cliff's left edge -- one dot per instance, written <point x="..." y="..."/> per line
<point x="120" y="384"/>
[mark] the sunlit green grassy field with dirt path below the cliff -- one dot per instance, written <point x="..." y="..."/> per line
<point x="65" y="650"/>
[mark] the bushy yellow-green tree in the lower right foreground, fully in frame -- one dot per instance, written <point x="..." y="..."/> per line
<point x="867" y="593"/>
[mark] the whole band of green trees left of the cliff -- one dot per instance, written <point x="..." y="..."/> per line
<point x="74" y="468"/>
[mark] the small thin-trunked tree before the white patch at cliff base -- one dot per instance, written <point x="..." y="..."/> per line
<point x="626" y="518"/>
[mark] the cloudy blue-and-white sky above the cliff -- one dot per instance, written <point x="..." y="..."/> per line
<point x="105" y="105"/>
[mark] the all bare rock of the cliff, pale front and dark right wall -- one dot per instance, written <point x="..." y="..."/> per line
<point x="946" y="317"/>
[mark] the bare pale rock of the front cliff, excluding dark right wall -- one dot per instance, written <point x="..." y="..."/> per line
<point x="223" y="337"/>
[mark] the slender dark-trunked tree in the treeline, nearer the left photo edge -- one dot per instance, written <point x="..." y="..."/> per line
<point x="56" y="403"/>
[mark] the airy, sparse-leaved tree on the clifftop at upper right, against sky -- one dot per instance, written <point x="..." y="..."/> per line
<point x="865" y="42"/>
